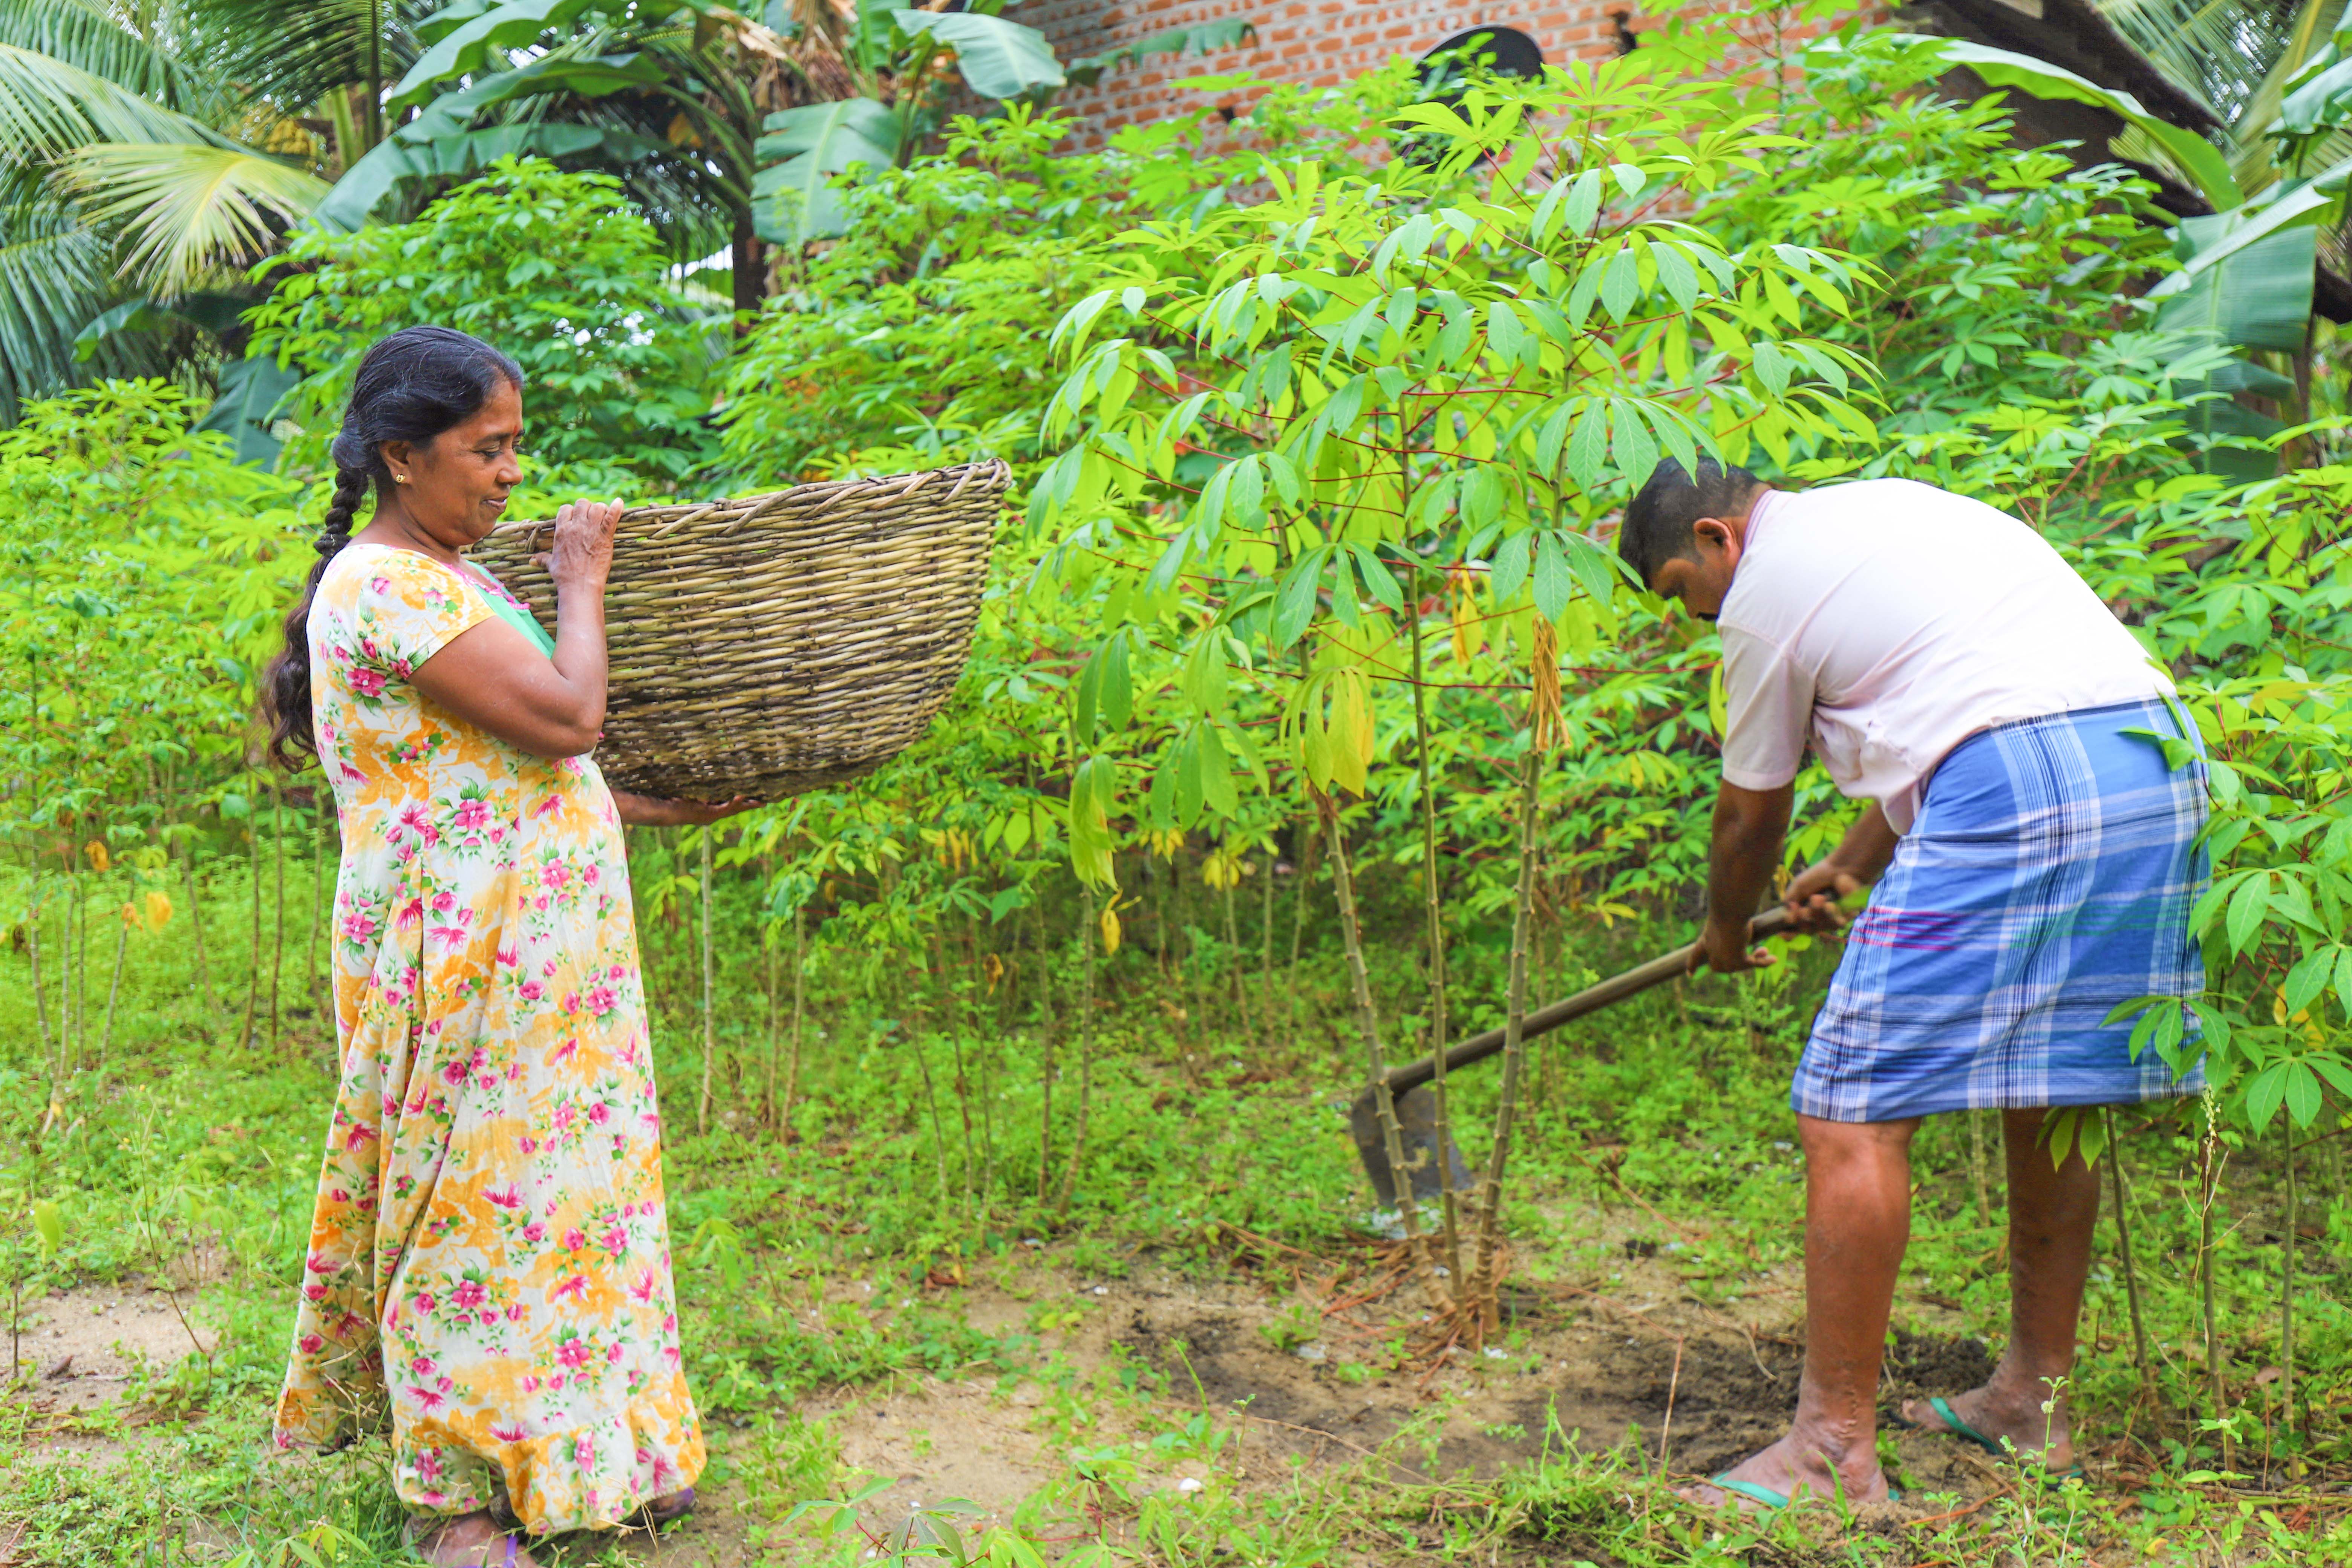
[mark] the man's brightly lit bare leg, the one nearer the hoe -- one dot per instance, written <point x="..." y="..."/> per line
<point x="1857" y="1224"/>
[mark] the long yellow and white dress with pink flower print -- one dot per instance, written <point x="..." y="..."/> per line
<point x="488" y="1254"/>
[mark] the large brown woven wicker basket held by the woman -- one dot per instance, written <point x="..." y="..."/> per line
<point x="780" y="643"/>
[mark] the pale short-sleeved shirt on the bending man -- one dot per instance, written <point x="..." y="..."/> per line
<point x="1899" y="619"/>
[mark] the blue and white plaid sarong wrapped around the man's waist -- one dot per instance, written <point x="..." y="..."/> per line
<point x="2050" y="878"/>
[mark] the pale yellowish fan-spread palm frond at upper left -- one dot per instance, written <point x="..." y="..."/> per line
<point x="189" y="210"/>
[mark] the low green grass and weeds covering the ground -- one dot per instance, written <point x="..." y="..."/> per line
<point x="1657" y="1130"/>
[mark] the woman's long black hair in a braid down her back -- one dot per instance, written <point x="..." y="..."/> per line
<point x="408" y="389"/>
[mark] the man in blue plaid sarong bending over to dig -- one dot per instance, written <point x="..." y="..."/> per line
<point x="2036" y="866"/>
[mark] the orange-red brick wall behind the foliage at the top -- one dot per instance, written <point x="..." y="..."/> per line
<point x="1314" y="43"/>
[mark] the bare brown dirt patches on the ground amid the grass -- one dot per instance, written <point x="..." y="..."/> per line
<point x="1699" y="1386"/>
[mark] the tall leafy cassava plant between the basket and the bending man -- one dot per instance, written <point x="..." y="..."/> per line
<point x="1328" y="406"/>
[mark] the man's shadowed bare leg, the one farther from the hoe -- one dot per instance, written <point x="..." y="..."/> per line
<point x="2052" y="1212"/>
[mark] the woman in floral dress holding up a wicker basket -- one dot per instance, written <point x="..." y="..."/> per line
<point x="488" y="1254"/>
